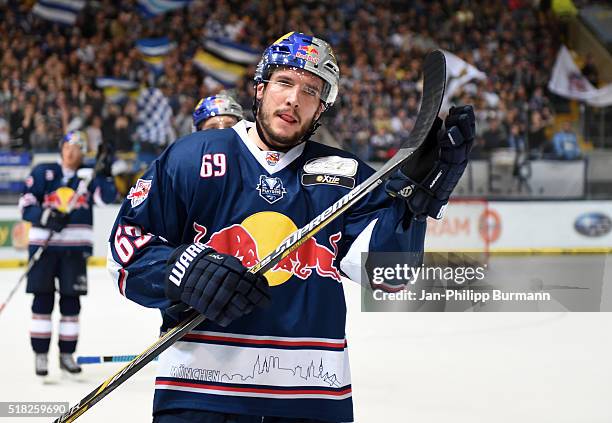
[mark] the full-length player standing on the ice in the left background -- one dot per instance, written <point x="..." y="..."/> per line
<point x="49" y="202"/>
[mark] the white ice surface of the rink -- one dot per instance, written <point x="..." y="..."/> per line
<point x="406" y="367"/>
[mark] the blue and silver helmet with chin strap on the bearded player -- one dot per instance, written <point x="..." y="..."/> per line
<point x="303" y="52"/>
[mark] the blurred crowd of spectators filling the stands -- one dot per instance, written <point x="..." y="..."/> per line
<point x="48" y="72"/>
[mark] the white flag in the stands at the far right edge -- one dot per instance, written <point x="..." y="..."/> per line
<point x="567" y="81"/>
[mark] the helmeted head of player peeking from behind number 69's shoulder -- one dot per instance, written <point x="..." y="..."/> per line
<point x="218" y="112"/>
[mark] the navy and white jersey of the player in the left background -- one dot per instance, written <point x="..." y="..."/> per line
<point x="49" y="185"/>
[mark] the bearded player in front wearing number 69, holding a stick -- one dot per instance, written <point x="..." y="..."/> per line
<point x="273" y="348"/>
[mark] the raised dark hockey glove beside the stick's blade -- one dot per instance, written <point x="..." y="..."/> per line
<point x="429" y="176"/>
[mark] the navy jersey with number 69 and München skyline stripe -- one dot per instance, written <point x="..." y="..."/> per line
<point x="216" y="187"/>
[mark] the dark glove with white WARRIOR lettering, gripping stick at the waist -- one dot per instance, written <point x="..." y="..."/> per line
<point x="216" y="285"/>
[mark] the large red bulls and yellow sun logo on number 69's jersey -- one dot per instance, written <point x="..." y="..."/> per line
<point x="254" y="238"/>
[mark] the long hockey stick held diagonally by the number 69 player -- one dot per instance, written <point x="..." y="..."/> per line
<point x="434" y="70"/>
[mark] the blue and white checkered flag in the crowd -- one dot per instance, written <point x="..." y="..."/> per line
<point x="154" y="118"/>
